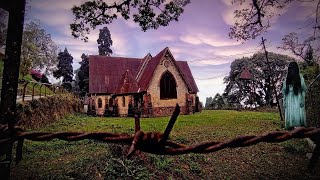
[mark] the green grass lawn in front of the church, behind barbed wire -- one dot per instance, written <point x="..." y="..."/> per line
<point x="89" y="159"/>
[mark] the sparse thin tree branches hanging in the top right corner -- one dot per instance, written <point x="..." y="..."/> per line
<point x="254" y="19"/>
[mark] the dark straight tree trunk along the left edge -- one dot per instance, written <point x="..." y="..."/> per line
<point x="10" y="76"/>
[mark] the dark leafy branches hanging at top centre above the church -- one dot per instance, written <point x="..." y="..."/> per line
<point x="149" y="14"/>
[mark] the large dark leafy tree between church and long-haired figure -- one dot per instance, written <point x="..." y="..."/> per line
<point x="257" y="91"/>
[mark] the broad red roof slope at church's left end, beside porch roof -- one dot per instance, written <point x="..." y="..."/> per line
<point x="105" y="72"/>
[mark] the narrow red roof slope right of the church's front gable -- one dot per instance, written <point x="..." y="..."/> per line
<point x="185" y="70"/>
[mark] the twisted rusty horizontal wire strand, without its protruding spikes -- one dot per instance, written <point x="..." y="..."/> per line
<point x="151" y="141"/>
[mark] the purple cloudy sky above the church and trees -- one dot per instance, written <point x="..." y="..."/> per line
<point x="199" y="37"/>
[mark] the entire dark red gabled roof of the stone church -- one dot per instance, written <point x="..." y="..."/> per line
<point x="119" y="75"/>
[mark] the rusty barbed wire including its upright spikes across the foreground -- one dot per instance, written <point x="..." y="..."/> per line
<point x="158" y="143"/>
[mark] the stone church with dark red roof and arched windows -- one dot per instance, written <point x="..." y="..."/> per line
<point x="150" y="86"/>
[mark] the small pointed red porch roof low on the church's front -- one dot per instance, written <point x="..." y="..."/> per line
<point x="127" y="85"/>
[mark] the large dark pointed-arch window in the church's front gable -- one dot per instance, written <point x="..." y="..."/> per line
<point x="168" y="87"/>
